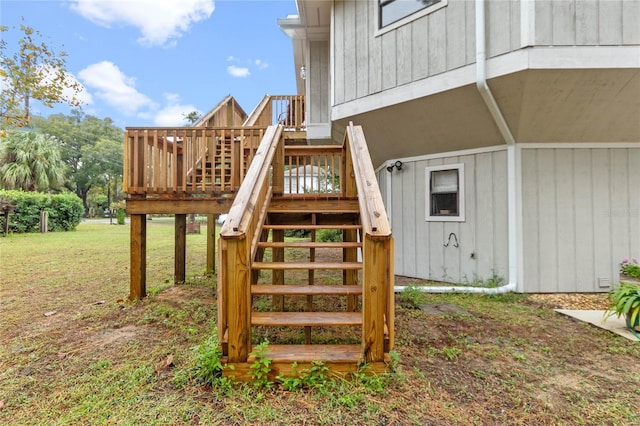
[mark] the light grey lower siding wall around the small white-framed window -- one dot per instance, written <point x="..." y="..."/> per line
<point x="419" y="245"/>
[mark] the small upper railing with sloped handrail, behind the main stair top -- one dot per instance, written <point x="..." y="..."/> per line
<point x="287" y="110"/>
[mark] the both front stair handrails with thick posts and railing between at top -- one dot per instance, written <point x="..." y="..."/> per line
<point x="268" y="175"/>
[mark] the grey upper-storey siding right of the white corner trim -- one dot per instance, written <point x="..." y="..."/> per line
<point x="587" y="22"/>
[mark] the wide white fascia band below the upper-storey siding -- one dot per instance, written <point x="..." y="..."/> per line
<point x="584" y="57"/>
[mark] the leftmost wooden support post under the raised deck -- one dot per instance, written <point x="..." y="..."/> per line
<point x="138" y="257"/>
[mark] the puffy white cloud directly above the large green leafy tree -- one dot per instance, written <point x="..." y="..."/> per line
<point x="114" y="87"/>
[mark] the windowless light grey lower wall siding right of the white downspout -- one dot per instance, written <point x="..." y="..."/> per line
<point x="581" y="217"/>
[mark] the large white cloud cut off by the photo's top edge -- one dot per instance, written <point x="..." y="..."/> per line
<point x="159" y="22"/>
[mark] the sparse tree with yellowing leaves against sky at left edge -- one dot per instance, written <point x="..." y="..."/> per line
<point x="34" y="71"/>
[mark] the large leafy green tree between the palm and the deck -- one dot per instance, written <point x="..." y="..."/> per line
<point x="90" y="147"/>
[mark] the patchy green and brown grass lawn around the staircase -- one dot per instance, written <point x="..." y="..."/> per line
<point x="74" y="351"/>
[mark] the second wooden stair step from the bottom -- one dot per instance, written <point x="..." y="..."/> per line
<point x="306" y="319"/>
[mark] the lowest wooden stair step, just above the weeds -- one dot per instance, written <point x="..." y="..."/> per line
<point x="310" y="353"/>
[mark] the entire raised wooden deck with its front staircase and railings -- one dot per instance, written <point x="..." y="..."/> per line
<point x="268" y="187"/>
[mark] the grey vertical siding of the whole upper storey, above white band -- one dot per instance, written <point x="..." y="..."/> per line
<point x="367" y="62"/>
